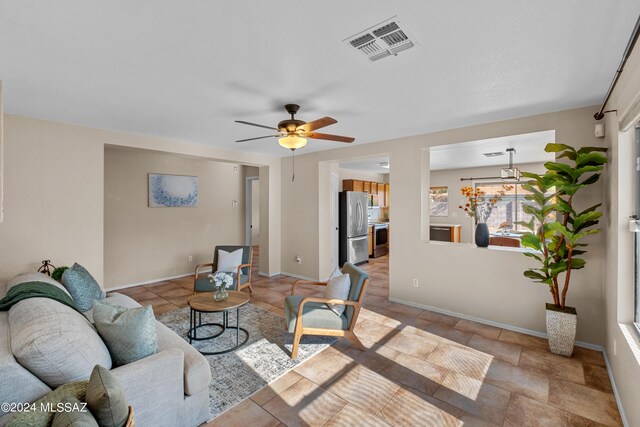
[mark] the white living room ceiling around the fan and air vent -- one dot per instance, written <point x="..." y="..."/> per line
<point x="187" y="70"/>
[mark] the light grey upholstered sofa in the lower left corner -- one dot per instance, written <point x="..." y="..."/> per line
<point x="56" y="344"/>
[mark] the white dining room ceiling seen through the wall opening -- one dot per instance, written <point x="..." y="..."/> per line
<point x="529" y="149"/>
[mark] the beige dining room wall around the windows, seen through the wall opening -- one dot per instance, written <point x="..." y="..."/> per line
<point x="450" y="178"/>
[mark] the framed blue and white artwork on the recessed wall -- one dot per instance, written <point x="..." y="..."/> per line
<point x="172" y="190"/>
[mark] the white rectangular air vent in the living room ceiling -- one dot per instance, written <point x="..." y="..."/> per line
<point x="382" y="40"/>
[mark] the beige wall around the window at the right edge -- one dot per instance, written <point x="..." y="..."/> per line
<point x="622" y="345"/>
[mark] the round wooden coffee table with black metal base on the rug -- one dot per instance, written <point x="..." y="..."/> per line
<point x="204" y="303"/>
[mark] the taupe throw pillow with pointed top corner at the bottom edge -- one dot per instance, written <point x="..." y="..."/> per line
<point x="106" y="398"/>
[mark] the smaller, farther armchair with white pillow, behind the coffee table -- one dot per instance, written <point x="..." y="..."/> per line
<point x="235" y="260"/>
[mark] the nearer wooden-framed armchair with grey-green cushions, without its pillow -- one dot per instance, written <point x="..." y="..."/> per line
<point x="312" y="316"/>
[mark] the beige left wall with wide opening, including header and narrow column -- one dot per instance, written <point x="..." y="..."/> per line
<point x="54" y="192"/>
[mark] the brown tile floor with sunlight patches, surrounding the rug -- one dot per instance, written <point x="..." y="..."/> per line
<point x="420" y="369"/>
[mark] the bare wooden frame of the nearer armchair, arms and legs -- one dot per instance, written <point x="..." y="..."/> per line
<point x="300" y="330"/>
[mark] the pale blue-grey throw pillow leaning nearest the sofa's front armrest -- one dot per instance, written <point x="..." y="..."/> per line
<point x="129" y="333"/>
